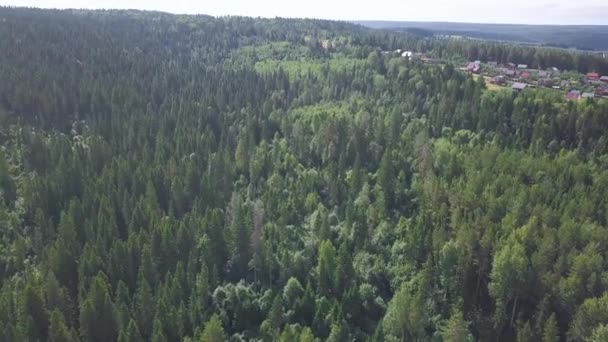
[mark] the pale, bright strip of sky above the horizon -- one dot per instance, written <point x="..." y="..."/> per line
<point x="561" y="12"/>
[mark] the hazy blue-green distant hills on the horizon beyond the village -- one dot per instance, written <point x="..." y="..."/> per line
<point x="593" y="38"/>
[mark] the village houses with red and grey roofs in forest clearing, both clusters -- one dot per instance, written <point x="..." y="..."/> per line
<point x="519" y="77"/>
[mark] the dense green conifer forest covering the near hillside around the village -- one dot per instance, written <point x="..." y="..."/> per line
<point x="168" y="178"/>
